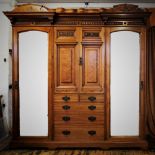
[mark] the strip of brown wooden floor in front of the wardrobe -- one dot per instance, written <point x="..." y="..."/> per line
<point x="76" y="152"/>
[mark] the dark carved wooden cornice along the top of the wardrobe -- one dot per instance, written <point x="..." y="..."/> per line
<point x="119" y="15"/>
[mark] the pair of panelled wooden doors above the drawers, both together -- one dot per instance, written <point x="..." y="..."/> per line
<point x="79" y="60"/>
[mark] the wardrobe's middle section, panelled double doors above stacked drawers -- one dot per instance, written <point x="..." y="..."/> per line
<point x="79" y="98"/>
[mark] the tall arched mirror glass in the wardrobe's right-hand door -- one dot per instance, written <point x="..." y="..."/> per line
<point x="124" y="85"/>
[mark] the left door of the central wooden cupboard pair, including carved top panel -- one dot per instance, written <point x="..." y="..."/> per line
<point x="66" y="64"/>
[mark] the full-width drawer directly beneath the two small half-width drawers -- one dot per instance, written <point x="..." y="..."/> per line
<point x="78" y="107"/>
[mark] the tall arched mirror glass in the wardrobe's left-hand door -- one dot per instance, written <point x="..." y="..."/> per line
<point x="33" y="83"/>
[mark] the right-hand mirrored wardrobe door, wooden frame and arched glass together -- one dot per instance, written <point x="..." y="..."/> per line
<point x="125" y="82"/>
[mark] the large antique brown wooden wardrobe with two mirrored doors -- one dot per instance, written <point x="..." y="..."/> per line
<point x="79" y="76"/>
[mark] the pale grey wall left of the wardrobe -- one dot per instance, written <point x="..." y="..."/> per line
<point x="5" y="41"/>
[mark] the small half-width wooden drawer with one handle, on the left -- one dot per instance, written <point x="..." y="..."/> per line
<point x="66" y="98"/>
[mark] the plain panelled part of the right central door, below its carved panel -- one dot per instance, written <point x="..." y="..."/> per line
<point x="92" y="69"/>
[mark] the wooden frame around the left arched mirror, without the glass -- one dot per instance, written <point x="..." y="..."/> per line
<point x="15" y="82"/>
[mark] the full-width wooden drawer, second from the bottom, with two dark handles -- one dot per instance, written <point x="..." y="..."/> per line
<point x="81" y="118"/>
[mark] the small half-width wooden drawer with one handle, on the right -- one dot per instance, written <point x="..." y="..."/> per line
<point x="91" y="97"/>
